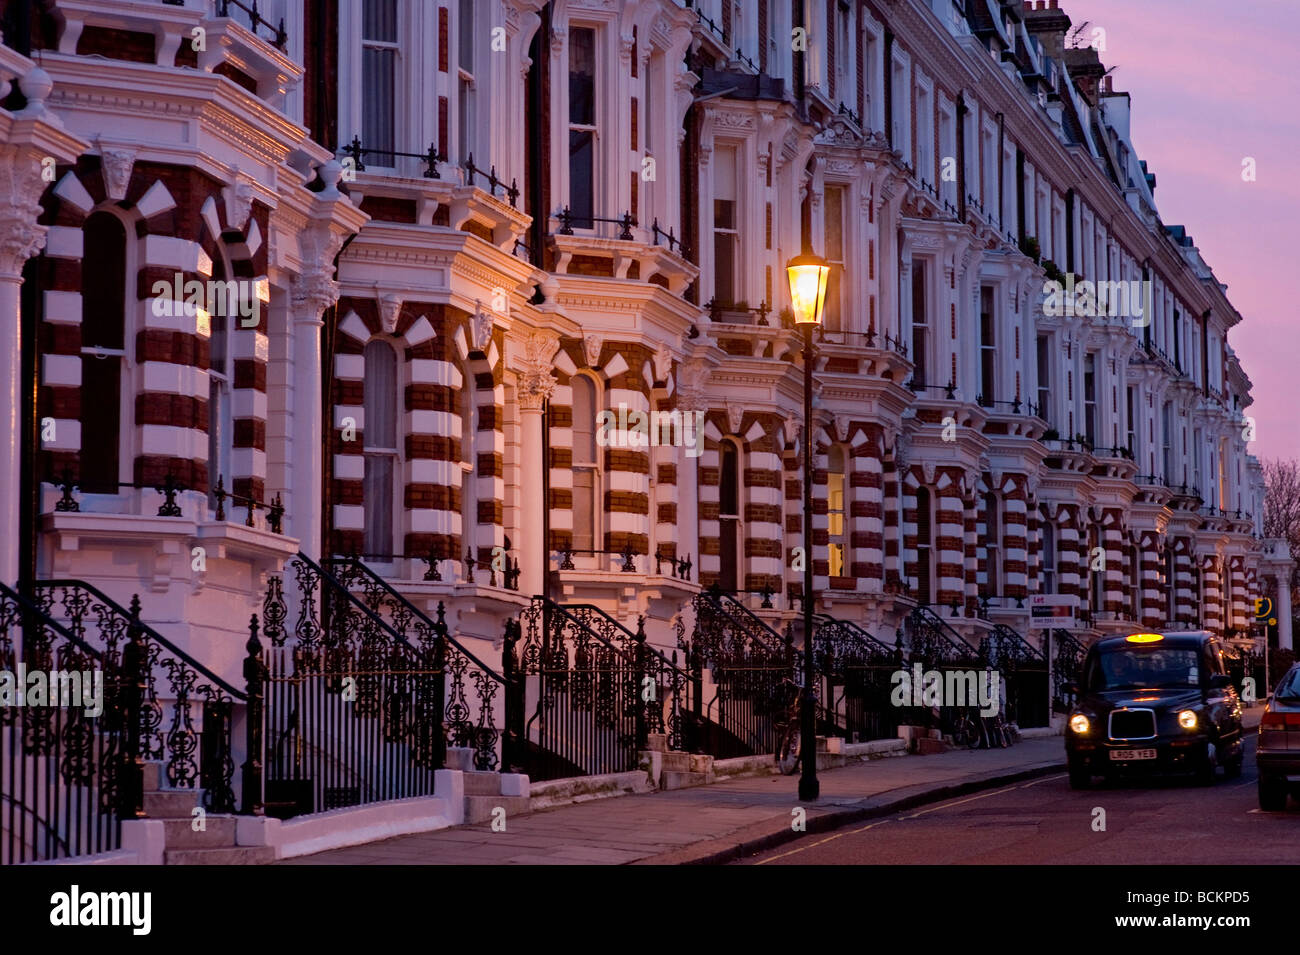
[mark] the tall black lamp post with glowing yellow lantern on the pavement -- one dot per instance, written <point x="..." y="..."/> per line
<point x="808" y="275"/>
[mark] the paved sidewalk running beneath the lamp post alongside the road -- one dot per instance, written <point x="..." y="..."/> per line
<point x="709" y="824"/>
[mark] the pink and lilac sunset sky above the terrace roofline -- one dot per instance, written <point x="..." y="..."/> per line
<point x="1214" y="84"/>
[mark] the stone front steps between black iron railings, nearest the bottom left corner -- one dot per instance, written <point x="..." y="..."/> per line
<point x="216" y="844"/>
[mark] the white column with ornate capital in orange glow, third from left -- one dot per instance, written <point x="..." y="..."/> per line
<point x="535" y="389"/>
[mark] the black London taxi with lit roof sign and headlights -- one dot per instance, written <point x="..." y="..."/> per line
<point x="1155" y="702"/>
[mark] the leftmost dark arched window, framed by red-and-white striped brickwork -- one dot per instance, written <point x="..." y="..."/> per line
<point x="103" y="353"/>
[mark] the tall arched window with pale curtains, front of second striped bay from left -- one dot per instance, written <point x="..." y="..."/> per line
<point x="382" y="449"/>
